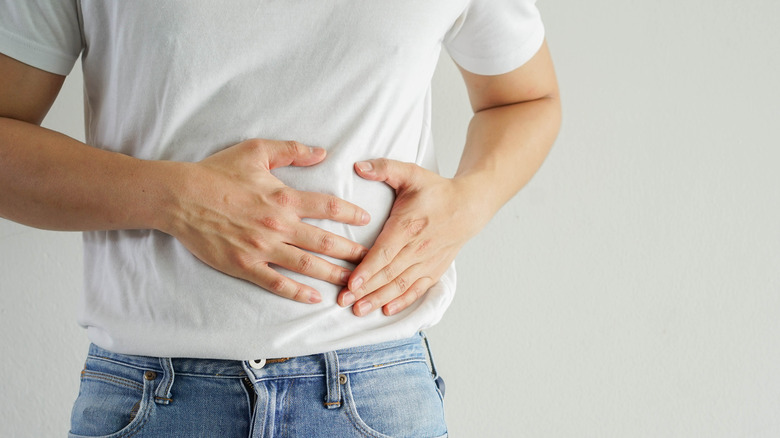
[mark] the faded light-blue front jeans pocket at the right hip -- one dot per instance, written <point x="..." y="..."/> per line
<point x="395" y="401"/>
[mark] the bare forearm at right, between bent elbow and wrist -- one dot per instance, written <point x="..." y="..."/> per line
<point x="505" y="146"/>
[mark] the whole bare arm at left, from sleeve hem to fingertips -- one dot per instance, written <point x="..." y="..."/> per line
<point x="228" y="209"/>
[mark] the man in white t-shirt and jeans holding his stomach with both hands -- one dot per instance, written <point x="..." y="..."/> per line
<point x="238" y="280"/>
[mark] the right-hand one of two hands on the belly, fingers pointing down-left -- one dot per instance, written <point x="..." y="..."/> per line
<point x="431" y="219"/>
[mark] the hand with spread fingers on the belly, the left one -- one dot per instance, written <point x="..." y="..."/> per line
<point x="238" y="218"/>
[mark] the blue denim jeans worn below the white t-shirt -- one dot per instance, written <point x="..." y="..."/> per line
<point x="382" y="390"/>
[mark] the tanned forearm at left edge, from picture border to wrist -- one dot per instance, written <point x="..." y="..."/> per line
<point x="51" y="181"/>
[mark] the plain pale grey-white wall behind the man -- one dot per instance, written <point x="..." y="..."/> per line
<point x="631" y="290"/>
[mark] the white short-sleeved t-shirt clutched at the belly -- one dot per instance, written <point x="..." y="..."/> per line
<point x="182" y="79"/>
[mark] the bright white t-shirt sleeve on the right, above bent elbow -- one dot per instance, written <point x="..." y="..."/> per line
<point x="493" y="37"/>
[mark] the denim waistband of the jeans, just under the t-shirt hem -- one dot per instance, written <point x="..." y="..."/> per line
<point x="349" y="360"/>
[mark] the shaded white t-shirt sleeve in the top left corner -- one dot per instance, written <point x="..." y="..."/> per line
<point x="45" y="34"/>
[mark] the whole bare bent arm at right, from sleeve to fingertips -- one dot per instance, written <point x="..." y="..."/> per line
<point x="517" y="117"/>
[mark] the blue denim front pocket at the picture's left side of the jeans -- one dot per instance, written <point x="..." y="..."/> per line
<point x="114" y="400"/>
